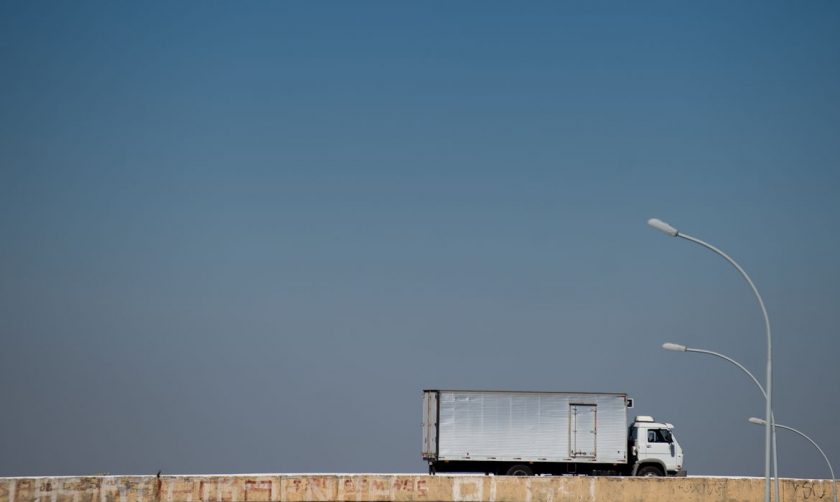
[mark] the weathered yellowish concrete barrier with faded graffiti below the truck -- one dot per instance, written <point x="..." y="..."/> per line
<point x="398" y="488"/>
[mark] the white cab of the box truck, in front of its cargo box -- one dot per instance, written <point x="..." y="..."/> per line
<point x="654" y="448"/>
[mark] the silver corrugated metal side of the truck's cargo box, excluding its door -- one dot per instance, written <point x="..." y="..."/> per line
<point x="530" y="426"/>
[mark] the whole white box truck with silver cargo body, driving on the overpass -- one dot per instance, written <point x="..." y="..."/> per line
<point x="557" y="433"/>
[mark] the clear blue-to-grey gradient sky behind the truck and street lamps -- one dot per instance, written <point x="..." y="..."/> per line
<point x="241" y="237"/>
